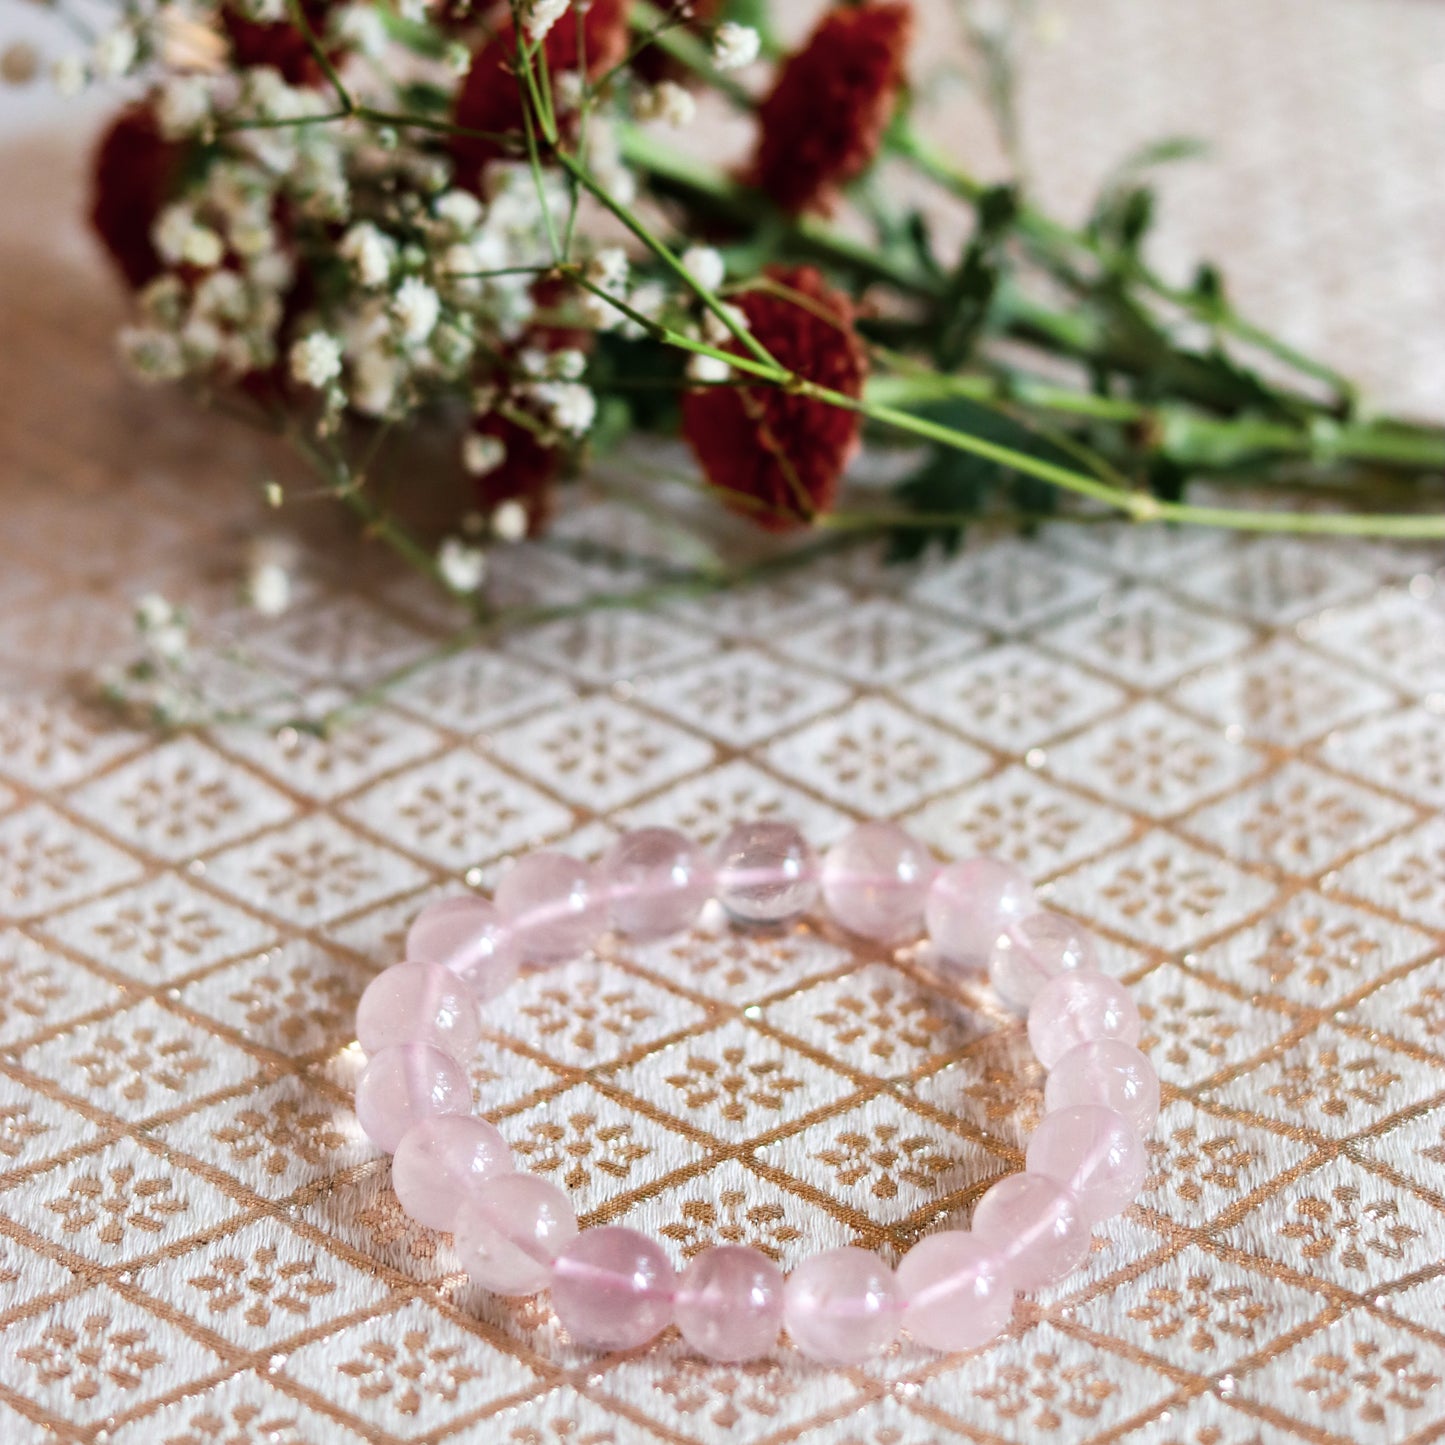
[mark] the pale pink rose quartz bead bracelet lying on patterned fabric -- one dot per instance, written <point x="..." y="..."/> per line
<point x="615" y="1288"/>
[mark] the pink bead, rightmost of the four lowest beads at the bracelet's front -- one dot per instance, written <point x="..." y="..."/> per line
<point x="957" y="1291"/>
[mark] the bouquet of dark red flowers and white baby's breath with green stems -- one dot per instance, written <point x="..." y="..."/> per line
<point x="498" y="222"/>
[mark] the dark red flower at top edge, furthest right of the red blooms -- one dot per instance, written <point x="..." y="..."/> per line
<point x="826" y="116"/>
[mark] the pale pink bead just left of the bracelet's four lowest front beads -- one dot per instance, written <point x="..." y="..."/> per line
<point x="511" y="1229"/>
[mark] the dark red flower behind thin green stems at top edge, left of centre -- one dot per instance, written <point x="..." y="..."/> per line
<point x="492" y="96"/>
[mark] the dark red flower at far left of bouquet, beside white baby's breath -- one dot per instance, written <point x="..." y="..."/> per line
<point x="135" y="174"/>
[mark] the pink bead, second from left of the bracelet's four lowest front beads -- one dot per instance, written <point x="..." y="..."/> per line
<point x="730" y="1304"/>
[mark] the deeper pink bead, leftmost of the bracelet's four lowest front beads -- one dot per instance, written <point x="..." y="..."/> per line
<point x="613" y="1288"/>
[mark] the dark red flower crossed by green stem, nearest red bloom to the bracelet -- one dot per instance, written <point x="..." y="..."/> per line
<point x="777" y="457"/>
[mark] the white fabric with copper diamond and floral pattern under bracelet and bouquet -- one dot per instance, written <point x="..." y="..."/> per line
<point x="1225" y="755"/>
